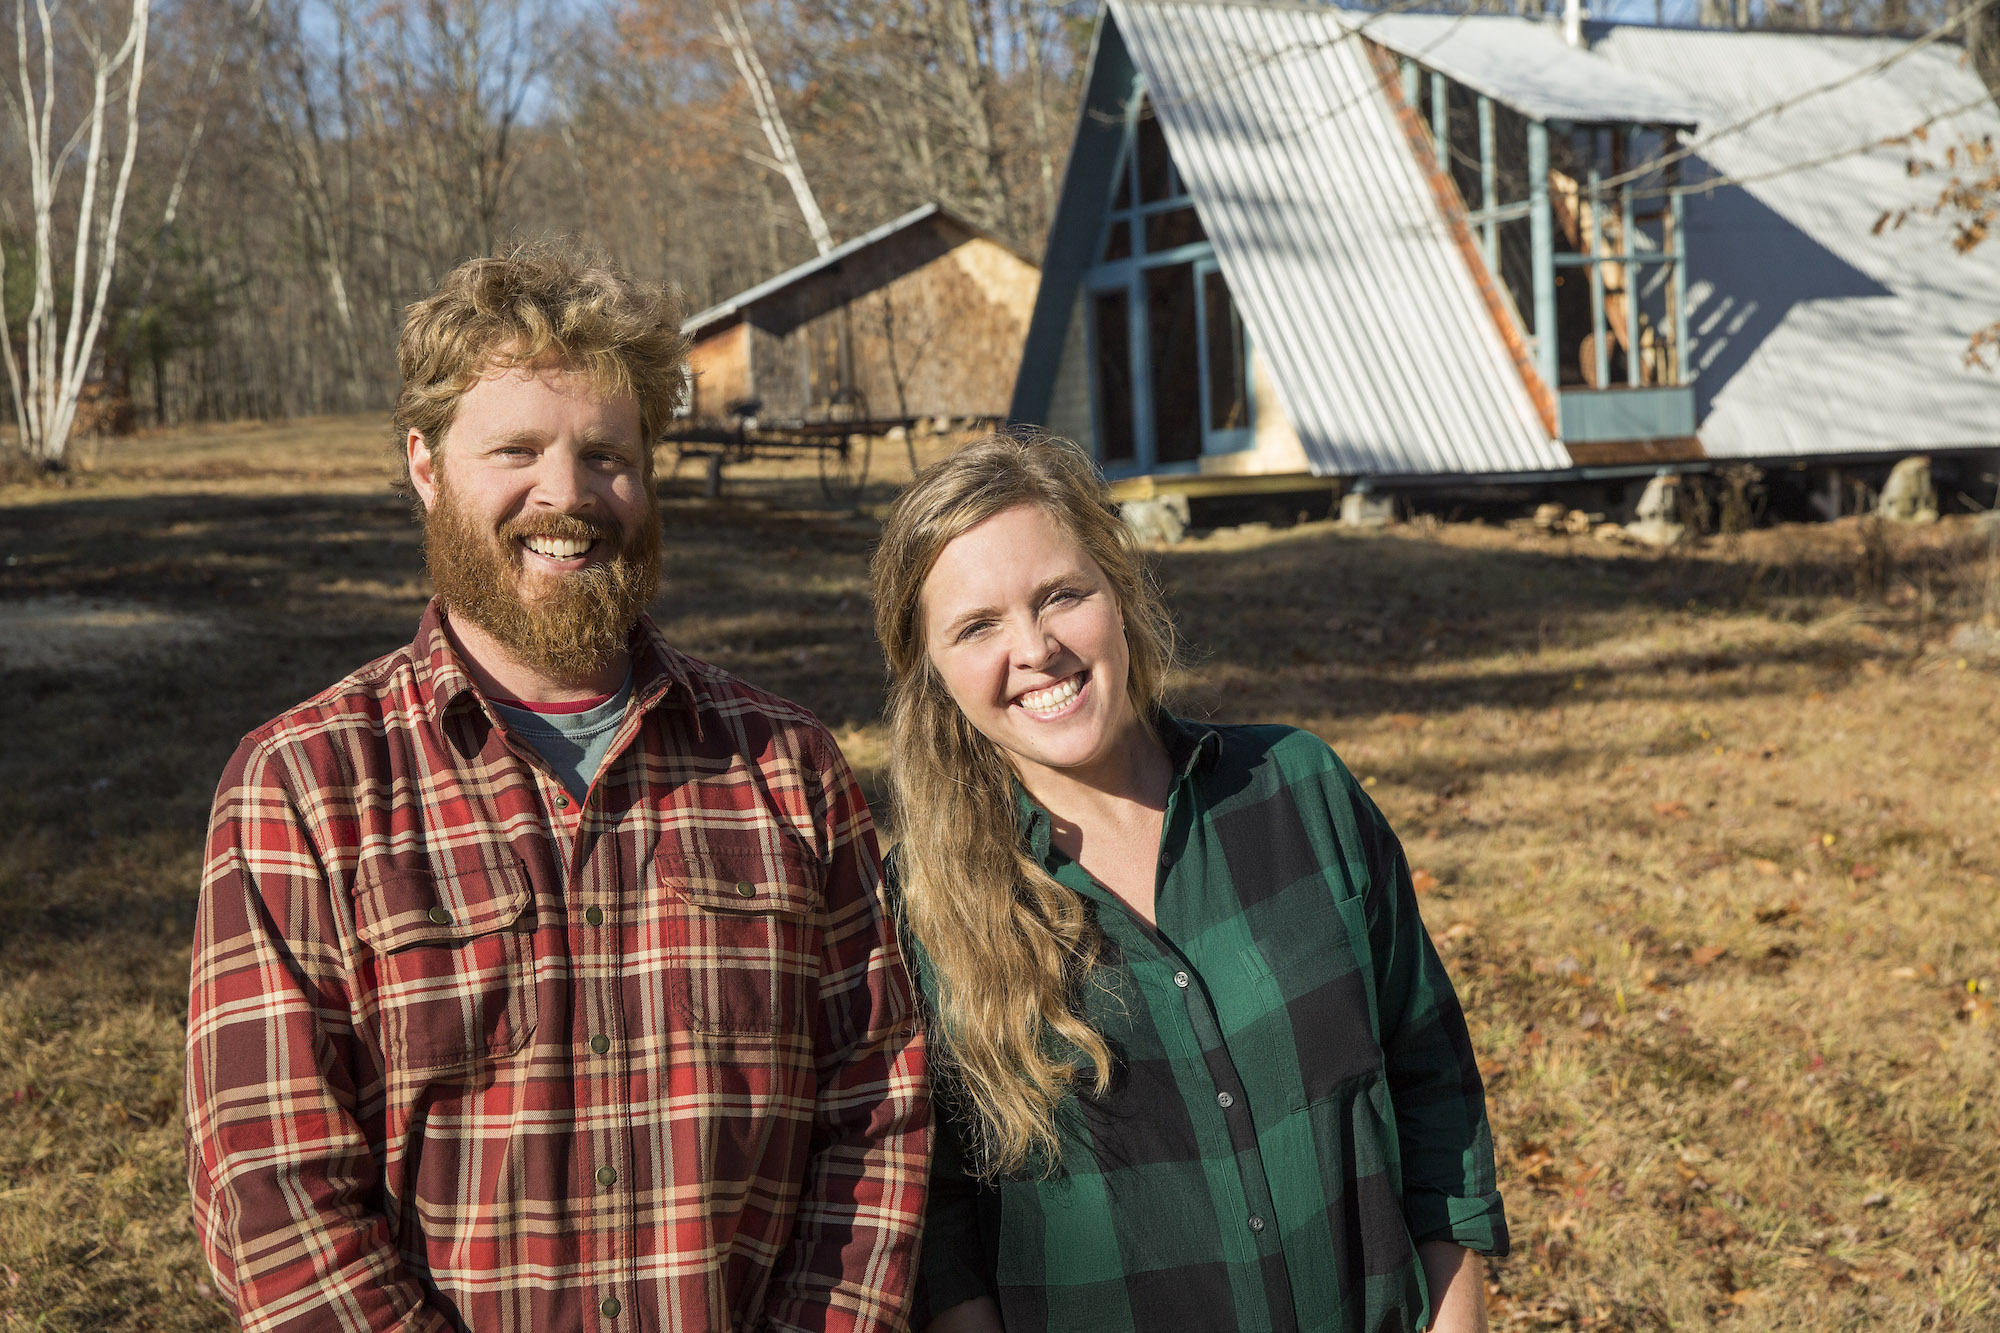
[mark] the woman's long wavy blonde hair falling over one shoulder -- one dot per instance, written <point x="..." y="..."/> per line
<point x="1011" y="950"/>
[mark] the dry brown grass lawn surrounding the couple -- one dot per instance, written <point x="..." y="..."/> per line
<point x="1707" y="842"/>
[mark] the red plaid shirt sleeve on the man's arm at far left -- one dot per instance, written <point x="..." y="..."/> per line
<point x="285" y="1186"/>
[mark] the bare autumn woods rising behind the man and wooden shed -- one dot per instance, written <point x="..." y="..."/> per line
<point x="305" y="169"/>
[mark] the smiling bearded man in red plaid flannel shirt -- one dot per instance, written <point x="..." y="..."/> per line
<point x="543" y="978"/>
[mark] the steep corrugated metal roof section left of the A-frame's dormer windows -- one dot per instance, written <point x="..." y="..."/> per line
<point x="1327" y="231"/>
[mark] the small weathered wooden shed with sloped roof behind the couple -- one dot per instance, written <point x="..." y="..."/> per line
<point x="921" y="317"/>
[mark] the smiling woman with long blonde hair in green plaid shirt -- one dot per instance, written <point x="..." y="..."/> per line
<point x="1199" y="1064"/>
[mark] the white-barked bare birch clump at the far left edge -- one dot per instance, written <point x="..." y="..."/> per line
<point x="63" y="347"/>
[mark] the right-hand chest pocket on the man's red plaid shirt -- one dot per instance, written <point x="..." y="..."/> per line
<point x="745" y="926"/>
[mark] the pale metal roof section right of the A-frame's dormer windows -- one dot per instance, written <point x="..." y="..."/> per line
<point x="1809" y="331"/>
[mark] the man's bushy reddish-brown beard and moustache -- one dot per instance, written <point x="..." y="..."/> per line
<point x="581" y="621"/>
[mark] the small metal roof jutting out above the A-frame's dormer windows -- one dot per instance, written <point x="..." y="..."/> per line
<point x="1529" y="67"/>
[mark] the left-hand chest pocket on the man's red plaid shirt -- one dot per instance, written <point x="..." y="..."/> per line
<point x="453" y="964"/>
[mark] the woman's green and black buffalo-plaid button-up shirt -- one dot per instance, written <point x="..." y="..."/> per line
<point x="1297" y="1104"/>
